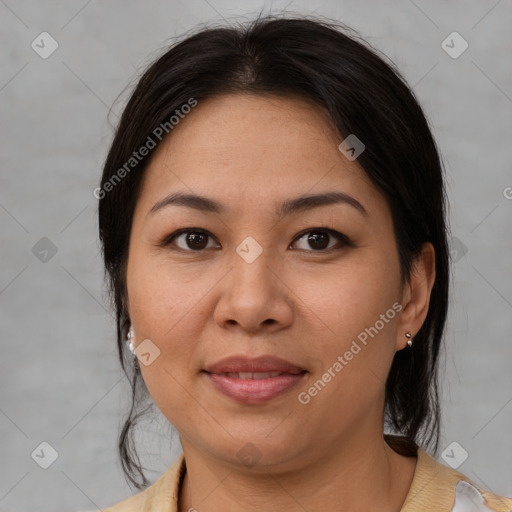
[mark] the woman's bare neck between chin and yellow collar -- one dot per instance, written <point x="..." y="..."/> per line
<point x="360" y="474"/>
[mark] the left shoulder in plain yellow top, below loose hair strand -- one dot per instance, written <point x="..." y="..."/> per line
<point x="162" y="495"/>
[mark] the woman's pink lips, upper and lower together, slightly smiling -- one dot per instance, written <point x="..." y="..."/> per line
<point x="254" y="380"/>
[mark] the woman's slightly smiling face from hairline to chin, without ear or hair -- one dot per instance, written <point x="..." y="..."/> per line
<point x="259" y="279"/>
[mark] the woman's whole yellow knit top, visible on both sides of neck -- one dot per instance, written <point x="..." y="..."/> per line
<point x="433" y="489"/>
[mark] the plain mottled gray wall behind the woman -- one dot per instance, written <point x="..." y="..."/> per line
<point x="60" y="380"/>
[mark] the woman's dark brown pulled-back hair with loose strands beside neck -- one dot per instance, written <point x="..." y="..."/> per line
<point x="329" y="65"/>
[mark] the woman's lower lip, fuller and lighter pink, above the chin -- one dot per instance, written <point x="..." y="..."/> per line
<point x="254" y="391"/>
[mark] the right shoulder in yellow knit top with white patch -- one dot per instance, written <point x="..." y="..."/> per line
<point x="436" y="487"/>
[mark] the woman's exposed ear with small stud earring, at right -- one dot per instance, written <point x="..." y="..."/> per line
<point x="416" y="294"/>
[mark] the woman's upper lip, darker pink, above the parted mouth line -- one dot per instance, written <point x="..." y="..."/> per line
<point x="267" y="363"/>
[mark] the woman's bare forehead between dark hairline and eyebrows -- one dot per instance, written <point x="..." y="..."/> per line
<point x="254" y="148"/>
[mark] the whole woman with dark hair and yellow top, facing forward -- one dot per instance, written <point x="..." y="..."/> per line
<point x="272" y="217"/>
